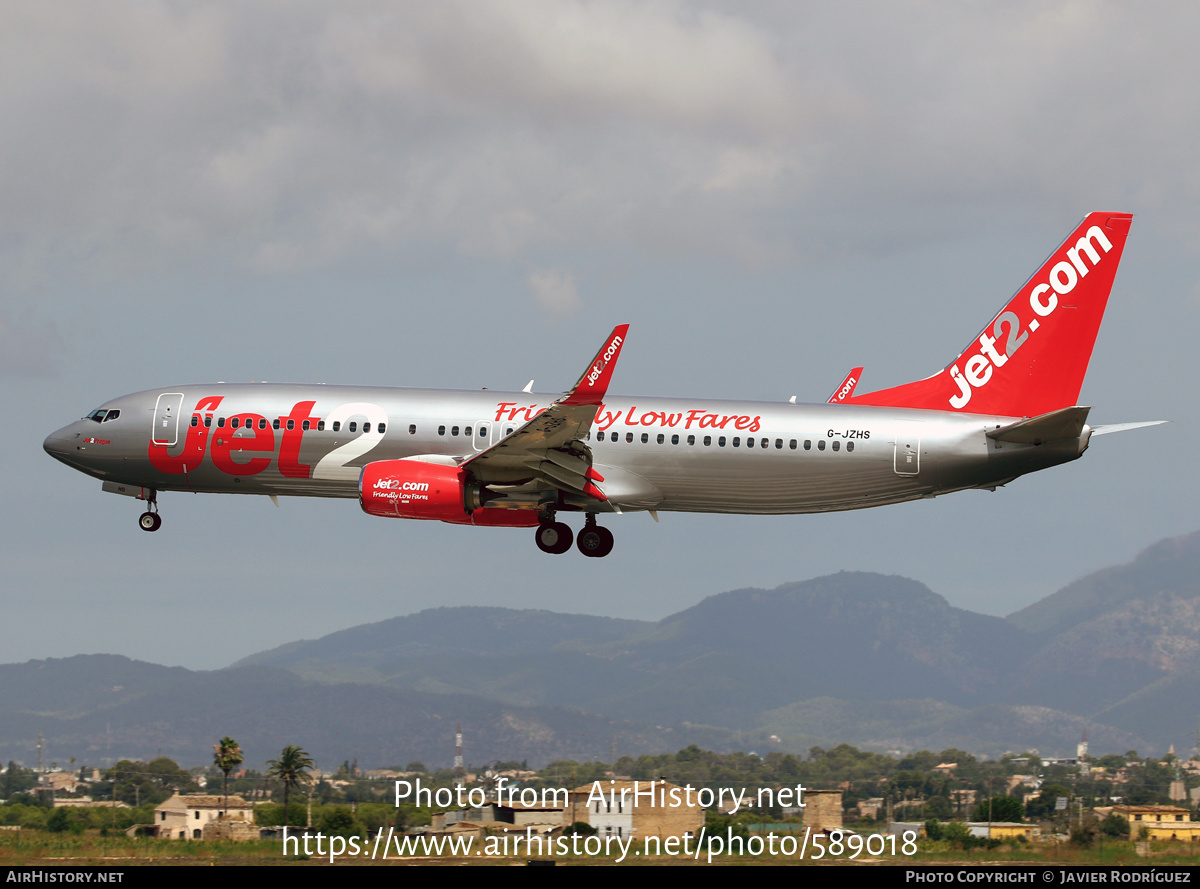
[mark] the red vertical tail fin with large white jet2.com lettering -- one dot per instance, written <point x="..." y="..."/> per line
<point x="1033" y="357"/>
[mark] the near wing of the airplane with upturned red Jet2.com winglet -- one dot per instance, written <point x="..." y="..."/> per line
<point x="549" y="452"/>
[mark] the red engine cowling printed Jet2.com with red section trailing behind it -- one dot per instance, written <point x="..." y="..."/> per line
<point x="410" y="489"/>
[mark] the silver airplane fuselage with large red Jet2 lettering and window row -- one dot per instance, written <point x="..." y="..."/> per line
<point x="661" y="454"/>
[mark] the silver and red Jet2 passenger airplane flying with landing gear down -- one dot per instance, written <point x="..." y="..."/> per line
<point x="1005" y="407"/>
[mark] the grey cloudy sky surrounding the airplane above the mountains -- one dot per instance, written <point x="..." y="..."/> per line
<point x="463" y="195"/>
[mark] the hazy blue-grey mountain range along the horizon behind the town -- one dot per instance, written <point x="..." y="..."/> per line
<point x="878" y="662"/>
